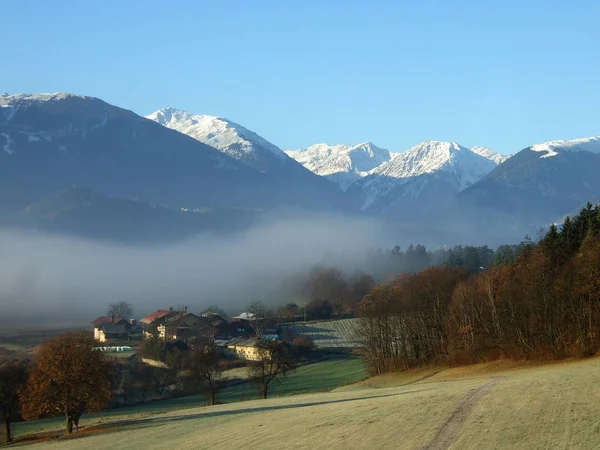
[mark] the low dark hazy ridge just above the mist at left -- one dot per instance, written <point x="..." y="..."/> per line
<point x="83" y="212"/>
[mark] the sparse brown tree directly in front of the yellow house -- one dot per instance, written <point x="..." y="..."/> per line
<point x="275" y="360"/>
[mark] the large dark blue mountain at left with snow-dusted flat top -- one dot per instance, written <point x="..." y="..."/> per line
<point x="51" y="142"/>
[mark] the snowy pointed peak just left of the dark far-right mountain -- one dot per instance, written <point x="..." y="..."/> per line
<point x="413" y="171"/>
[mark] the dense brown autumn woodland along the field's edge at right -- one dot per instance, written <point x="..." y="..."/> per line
<point x="543" y="303"/>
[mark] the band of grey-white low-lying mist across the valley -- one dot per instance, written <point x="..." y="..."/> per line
<point x="63" y="280"/>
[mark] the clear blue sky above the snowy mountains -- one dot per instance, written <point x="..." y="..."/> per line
<point x="503" y="74"/>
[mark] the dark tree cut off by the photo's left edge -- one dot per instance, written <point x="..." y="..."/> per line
<point x="13" y="374"/>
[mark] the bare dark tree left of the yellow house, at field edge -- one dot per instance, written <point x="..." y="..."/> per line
<point x="205" y="368"/>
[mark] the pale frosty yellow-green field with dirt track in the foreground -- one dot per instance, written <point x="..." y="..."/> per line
<point x="489" y="406"/>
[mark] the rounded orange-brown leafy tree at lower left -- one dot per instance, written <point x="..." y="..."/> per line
<point x="68" y="377"/>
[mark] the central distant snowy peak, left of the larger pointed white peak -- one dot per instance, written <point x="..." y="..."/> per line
<point x="342" y="164"/>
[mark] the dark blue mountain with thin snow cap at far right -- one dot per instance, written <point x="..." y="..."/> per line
<point x="542" y="182"/>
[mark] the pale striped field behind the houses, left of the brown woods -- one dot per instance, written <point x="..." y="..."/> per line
<point x="328" y="333"/>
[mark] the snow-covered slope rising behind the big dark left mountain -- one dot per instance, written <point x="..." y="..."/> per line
<point x="222" y="134"/>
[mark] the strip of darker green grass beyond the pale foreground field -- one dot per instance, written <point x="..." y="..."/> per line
<point x="314" y="377"/>
